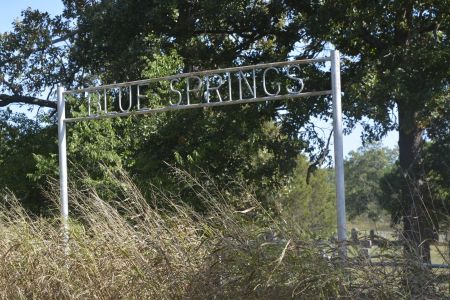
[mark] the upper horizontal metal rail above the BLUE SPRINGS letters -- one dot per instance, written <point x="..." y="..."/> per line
<point x="200" y="73"/>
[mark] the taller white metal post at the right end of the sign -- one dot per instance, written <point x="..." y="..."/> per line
<point x="338" y="152"/>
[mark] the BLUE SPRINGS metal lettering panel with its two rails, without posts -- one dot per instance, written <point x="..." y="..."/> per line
<point x="229" y="86"/>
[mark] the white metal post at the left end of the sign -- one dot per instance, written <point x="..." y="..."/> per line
<point x="64" y="202"/>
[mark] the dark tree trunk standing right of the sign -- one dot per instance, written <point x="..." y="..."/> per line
<point x="417" y="226"/>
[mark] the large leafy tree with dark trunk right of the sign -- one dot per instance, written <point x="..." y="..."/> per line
<point x="398" y="57"/>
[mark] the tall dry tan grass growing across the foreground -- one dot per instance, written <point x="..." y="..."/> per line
<point x="159" y="248"/>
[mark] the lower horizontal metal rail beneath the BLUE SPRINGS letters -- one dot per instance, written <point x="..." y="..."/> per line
<point x="197" y="105"/>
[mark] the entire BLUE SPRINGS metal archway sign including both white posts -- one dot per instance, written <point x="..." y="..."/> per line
<point x="239" y="85"/>
